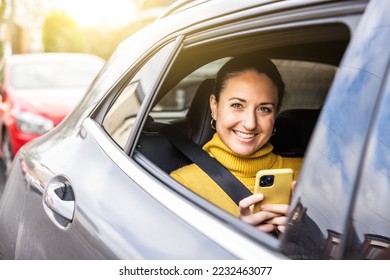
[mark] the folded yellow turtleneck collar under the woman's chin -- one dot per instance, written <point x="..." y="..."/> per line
<point x="241" y="166"/>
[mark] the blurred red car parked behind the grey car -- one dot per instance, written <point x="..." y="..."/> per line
<point x="37" y="91"/>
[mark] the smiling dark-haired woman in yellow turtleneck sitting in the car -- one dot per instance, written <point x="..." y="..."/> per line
<point x="248" y="94"/>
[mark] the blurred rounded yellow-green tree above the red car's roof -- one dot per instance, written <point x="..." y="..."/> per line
<point x="60" y="33"/>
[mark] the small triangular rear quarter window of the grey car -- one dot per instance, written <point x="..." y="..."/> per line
<point x="120" y="118"/>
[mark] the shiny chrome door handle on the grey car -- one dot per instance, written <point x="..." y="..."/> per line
<point x="58" y="197"/>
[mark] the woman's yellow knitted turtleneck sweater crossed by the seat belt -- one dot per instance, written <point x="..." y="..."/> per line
<point x="244" y="168"/>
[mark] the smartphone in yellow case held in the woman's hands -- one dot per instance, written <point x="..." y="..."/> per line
<point x="275" y="185"/>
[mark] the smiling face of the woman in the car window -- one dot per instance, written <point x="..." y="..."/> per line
<point x="246" y="111"/>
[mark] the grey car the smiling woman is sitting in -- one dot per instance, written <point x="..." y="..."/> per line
<point x="97" y="186"/>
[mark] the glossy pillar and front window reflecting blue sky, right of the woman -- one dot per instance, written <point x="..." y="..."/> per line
<point x="340" y="206"/>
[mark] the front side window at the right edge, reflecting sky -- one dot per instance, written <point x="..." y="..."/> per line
<point x="370" y="224"/>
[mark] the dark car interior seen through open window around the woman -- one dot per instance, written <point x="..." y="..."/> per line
<point x="307" y="58"/>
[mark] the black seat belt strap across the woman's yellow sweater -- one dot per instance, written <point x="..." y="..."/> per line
<point x="220" y="174"/>
